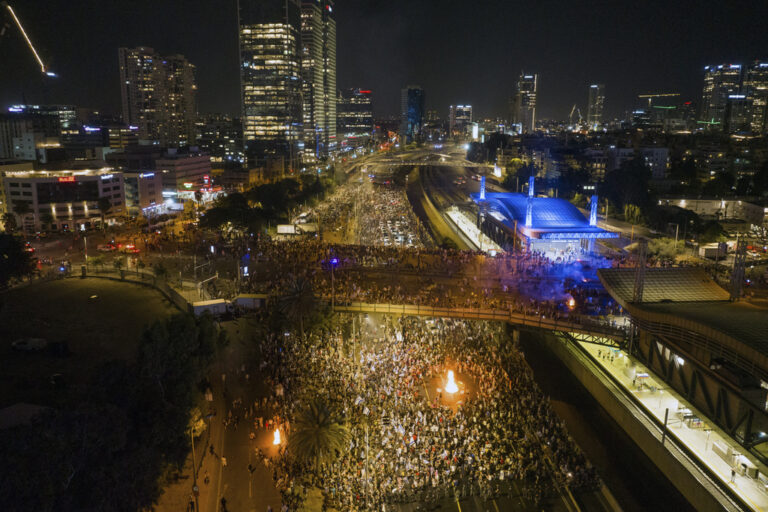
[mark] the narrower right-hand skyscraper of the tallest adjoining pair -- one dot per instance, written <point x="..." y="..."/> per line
<point x="318" y="71"/>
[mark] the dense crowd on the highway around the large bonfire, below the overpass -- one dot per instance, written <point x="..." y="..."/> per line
<point x="409" y="444"/>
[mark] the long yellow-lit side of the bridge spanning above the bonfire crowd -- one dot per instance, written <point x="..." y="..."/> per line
<point x="585" y="328"/>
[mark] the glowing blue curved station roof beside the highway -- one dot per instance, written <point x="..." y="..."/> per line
<point x="552" y="218"/>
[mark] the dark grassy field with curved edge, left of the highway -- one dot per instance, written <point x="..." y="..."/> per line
<point x="100" y="320"/>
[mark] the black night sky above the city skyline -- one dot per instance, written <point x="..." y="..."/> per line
<point x="459" y="51"/>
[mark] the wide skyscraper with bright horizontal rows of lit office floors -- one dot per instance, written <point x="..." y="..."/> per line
<point x="270" y="77"/>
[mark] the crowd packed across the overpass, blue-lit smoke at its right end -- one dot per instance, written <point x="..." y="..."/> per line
<point x="521" y="284"/>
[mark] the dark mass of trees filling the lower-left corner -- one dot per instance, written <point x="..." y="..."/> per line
<point x="110" y="451"/>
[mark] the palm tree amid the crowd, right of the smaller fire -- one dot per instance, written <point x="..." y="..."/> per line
<point x="317" y="435"/>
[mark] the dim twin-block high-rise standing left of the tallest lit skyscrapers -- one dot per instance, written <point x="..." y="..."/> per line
<point x="158" y="95"/>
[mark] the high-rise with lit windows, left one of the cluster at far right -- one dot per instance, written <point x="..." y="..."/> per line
<point x="720" y="83"/>
